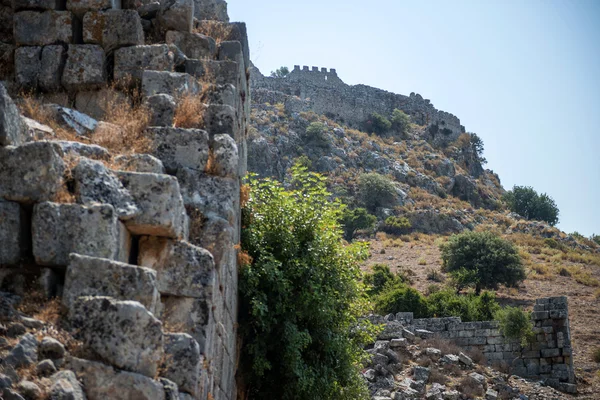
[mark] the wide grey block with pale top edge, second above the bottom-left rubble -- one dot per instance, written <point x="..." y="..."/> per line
<point x="91" y="276"/>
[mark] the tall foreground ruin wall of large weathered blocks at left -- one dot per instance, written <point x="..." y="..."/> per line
<point x="148" y="246"/>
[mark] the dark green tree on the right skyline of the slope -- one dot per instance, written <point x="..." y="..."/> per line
<point x="525" y="201"/>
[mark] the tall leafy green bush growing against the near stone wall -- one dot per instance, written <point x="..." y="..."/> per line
<point x="300" y="297"/>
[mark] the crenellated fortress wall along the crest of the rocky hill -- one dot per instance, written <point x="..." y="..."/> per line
<point x="325" y="93"/>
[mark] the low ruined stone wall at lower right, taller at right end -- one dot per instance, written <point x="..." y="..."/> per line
<point x="548" y="357"/>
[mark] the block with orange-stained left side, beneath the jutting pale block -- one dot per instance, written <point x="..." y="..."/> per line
<point x="182" y="268"/>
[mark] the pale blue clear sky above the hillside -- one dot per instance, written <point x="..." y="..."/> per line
<point x="523" y="75"/>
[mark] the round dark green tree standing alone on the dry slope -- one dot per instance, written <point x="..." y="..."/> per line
<point x="483" y="260"/>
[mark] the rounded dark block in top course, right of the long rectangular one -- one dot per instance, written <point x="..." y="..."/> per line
<point x="113" y="29"/>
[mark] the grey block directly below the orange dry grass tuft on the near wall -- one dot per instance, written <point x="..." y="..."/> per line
<point x="180" y="148"/>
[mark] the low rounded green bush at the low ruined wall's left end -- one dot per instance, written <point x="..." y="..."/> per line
<point x="401" y="298"/>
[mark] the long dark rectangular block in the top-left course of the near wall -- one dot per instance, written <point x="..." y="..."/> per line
<point x="33" y="28"/>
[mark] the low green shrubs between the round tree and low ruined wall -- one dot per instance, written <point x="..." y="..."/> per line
<point x="470" y="307"/>
